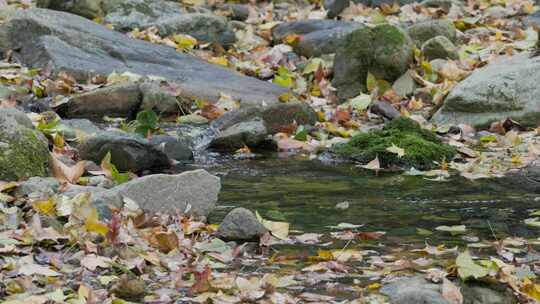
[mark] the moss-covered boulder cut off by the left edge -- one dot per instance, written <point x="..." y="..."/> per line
<point x="24" y="151"/>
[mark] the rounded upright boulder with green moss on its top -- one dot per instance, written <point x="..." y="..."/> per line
<point x="384" y="51"/>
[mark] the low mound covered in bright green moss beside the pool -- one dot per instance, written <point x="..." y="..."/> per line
<point x="422" y="147"/>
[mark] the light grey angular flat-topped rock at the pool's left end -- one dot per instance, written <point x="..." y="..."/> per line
<point x="191" y="192"/>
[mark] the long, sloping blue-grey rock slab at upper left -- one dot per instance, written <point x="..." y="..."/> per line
<point x="82" y="48"/>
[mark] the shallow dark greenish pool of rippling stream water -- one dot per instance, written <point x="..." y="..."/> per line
<point x="305" y="193"/>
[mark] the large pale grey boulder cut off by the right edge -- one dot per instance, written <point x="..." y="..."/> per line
<point x="504" y="88"/>
